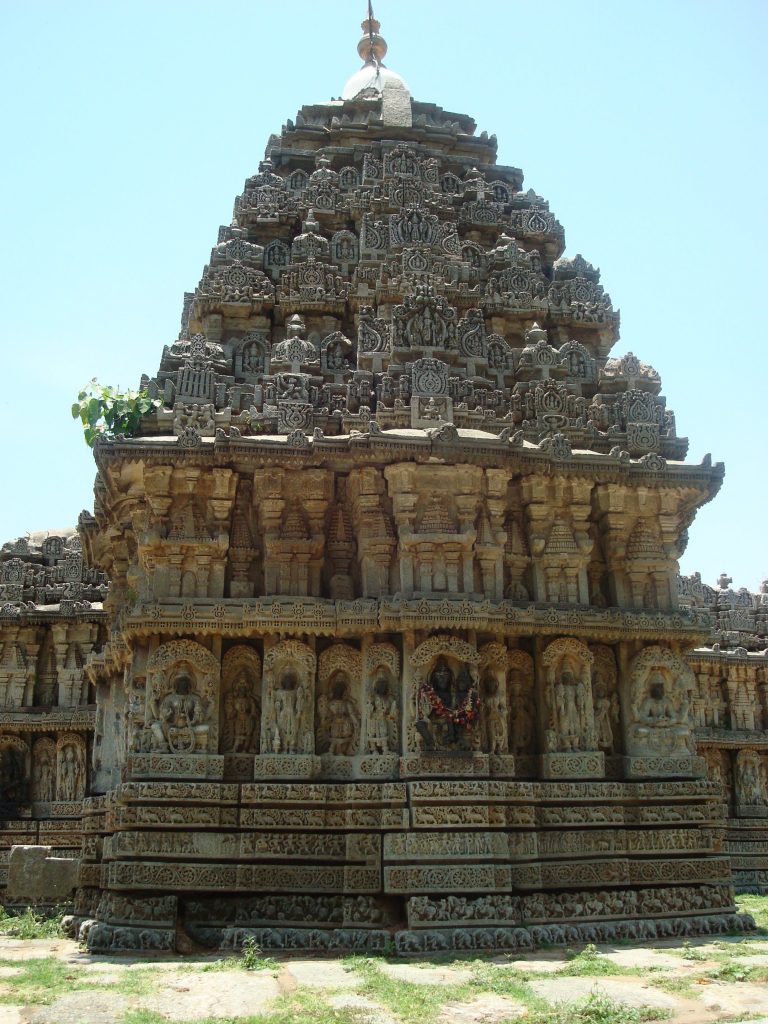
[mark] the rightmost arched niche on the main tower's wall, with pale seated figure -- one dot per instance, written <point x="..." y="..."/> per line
<point x="662" y="687"/>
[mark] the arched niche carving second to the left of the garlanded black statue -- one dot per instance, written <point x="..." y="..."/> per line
<point x="337" y="720"/>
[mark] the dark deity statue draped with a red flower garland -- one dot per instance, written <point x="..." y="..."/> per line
<point x="448" y="709"/>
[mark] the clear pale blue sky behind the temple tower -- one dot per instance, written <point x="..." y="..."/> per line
<point x="130" y="127"/>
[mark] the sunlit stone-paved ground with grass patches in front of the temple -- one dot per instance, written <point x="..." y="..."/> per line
<point x="701" y="983"/>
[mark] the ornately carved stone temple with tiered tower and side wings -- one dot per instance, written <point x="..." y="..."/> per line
<point x="395" y="649"/>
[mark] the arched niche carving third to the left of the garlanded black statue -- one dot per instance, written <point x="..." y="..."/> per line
<point x="288" y="698"/>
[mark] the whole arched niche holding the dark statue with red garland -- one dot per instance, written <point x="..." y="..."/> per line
<point x="446" y="696"/>
